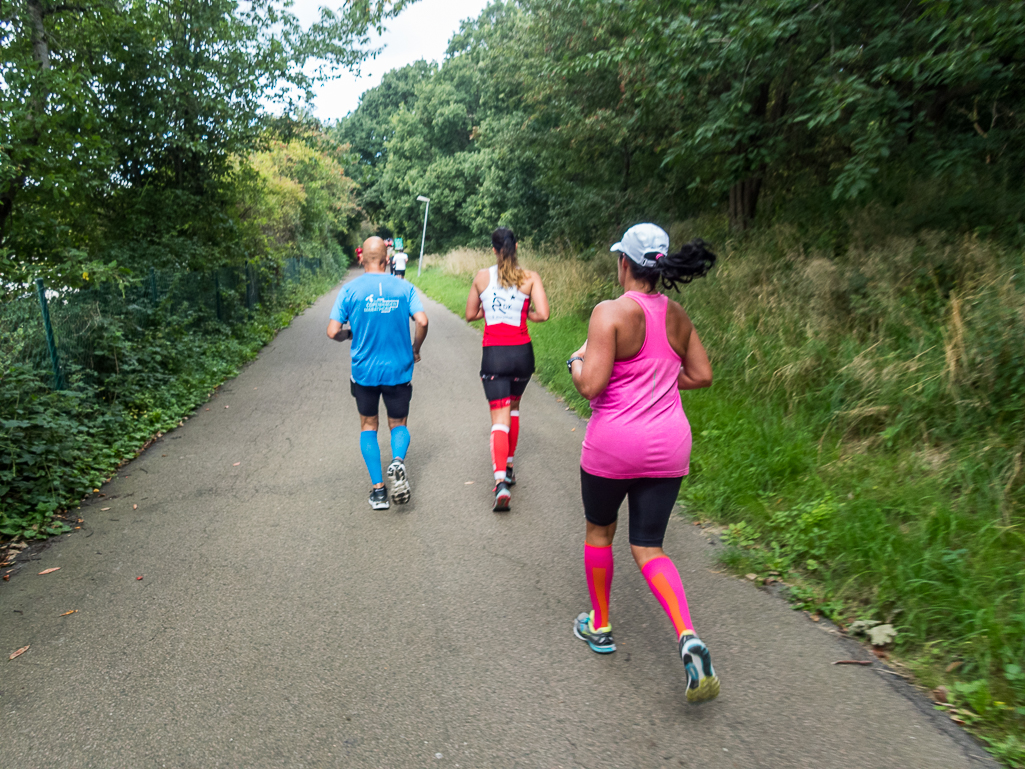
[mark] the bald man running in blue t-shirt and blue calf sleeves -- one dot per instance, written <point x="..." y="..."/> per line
<point x="377" y="307"/>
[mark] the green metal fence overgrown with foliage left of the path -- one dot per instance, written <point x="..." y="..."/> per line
<point x="63" y="335"/>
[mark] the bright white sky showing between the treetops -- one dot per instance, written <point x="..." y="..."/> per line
<point x="423" y="31"/>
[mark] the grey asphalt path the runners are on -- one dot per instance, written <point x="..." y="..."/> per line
<point x="281" y="623"/>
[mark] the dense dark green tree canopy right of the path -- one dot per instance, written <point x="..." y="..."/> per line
<point x="567" y="119"/>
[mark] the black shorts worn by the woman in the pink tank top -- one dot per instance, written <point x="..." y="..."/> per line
<point x="651" y="502"/>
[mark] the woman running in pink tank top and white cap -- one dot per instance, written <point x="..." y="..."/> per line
<point x="641" y="351"/>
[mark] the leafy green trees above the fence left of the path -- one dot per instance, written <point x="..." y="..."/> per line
<point x="114" y="113"/>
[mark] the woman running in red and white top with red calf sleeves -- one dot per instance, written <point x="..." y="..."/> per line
<point x="507" y="297"/>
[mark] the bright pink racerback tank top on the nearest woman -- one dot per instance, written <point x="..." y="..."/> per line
<point x="638" y="428"/>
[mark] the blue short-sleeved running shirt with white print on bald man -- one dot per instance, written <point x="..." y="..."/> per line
<point x="378" y="308"/>
